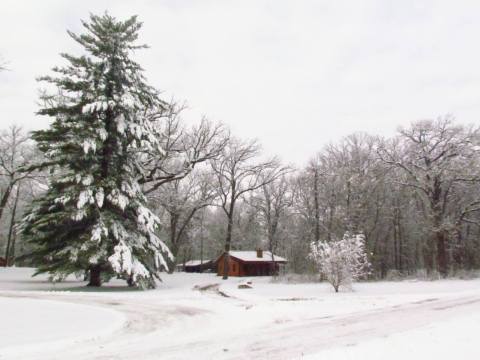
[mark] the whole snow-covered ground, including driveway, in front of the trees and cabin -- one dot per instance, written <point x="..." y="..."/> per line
<point x="383" y="320"/>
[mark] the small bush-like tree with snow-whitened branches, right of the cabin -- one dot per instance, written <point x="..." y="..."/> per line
<point x="341" y="261"/>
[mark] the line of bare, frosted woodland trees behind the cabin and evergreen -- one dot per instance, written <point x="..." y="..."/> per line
<point x="415" y="197"/>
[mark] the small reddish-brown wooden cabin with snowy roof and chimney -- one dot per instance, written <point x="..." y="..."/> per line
<point x="250" y="263"/>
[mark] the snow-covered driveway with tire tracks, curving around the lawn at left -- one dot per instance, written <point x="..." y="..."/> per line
<point x="159" y="329"/>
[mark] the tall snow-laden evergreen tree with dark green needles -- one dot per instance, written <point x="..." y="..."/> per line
<point x="94" y="216"/>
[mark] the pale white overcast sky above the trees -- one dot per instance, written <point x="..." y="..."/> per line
<point x="295" y="74"/>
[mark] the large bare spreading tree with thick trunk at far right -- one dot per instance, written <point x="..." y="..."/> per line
<point x="437" y="158"/>
